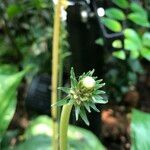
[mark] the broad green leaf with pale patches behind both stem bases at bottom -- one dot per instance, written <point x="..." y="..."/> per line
<point x="39" y="132"/>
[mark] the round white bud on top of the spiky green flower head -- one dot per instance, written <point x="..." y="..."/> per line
<point x="88" y="82"/>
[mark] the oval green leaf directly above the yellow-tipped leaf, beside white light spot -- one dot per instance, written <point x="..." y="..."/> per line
<point x="115" y="13"/>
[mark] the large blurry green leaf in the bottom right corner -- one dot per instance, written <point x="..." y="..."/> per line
<point x="140" y="130"/>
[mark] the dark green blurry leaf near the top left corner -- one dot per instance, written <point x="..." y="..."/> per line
<point x="13" y="10"/>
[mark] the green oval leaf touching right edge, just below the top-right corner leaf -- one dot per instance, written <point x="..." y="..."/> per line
<point x="139" y="19"/>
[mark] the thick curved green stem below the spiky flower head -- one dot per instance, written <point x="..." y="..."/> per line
<point x="64" y="122"/>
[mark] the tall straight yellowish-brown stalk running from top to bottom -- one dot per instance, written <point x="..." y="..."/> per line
<point x="55" y="64"/>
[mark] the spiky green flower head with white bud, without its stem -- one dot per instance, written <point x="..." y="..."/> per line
<point x="84" y="93"/>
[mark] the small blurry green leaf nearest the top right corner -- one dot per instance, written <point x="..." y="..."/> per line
<point x="136" y="7"/>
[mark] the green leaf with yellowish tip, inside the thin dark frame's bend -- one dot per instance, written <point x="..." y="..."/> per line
<point x="112" y="24"/>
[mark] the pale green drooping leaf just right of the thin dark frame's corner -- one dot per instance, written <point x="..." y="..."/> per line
<point x="132" y="35"/>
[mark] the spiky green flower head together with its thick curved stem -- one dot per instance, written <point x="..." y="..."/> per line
<point x="83" y="95"/>
